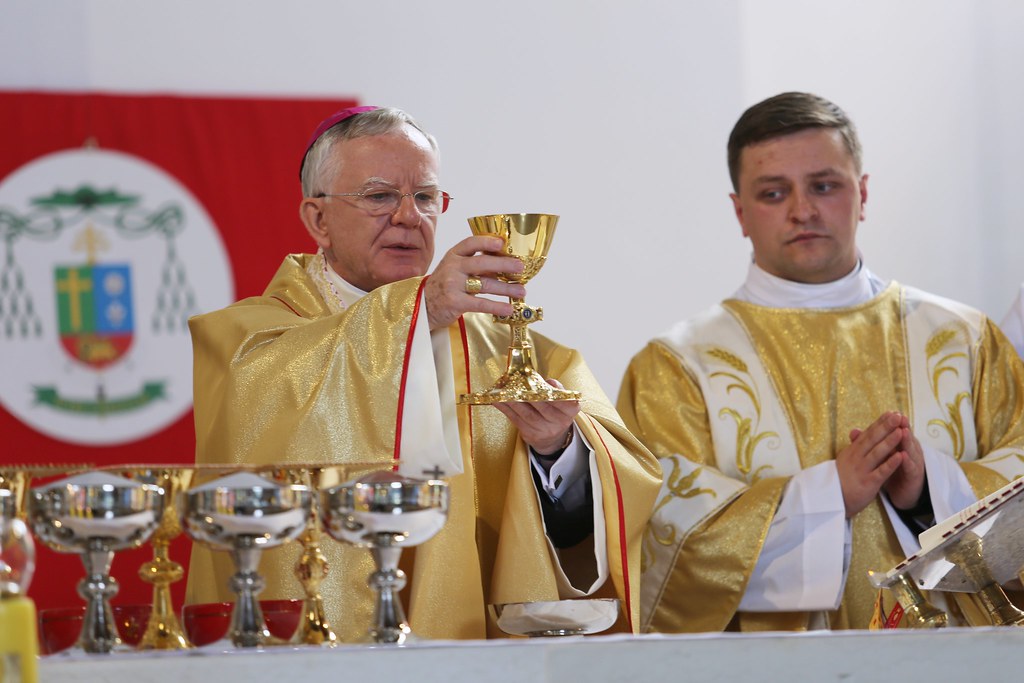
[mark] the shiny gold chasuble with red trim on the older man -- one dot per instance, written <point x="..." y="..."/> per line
<point x="290" y="378"/>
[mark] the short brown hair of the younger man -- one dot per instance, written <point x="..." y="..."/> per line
<point x="784" y="115"/>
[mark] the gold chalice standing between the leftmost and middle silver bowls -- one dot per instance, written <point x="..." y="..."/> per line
<point x="164" y="632"/>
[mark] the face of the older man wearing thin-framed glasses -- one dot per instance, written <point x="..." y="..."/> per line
<point x="370" y="250"/>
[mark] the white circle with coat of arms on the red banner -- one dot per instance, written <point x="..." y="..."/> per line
<point x="106" y="257"/>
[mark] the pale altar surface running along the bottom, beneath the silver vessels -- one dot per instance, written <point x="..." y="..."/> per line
<point x="850" y="657"/>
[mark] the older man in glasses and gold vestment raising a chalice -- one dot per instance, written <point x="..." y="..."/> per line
<point x="354" y="355"/>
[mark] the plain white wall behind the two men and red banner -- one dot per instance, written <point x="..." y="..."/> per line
<point x="615" y="115"/>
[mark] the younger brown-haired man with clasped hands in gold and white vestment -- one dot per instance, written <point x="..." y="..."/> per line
<point x="813" y="424"/>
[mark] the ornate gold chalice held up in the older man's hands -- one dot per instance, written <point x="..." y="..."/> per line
<point x="528" y="237"/>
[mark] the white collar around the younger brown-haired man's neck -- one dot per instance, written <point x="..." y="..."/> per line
<point x="764" y="289"/>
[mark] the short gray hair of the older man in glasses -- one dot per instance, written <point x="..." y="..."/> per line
<point x="320" y="166"/>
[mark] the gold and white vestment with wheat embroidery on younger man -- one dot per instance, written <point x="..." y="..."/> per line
<point x="738" y="401"/>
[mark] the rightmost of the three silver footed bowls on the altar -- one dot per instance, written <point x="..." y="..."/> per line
<point x="387" y="513"/>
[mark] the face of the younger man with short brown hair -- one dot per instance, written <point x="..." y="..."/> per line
<point x="800" y="200"/>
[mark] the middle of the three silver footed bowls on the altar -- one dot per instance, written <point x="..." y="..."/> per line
<point x="245" y="515"/>
